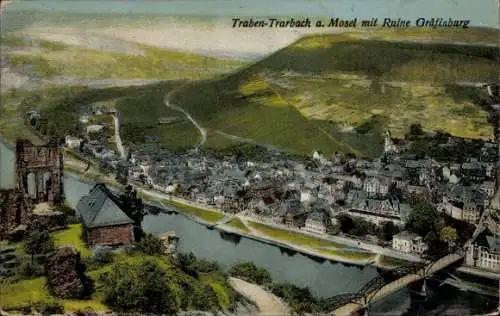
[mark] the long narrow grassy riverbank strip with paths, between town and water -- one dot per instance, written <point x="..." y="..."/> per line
<point x="306" y="243"/>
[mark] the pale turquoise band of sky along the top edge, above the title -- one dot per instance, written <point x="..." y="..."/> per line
<point x="481" y="13"/>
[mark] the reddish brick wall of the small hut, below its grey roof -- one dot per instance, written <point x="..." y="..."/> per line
<point x="110" y="235"/>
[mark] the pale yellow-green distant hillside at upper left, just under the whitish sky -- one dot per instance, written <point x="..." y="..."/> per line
<point x="48" y="59"/>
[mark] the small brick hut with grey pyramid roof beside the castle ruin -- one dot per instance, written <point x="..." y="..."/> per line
<point x="104" y="222"/>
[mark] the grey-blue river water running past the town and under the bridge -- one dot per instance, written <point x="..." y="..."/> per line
<point x="323" y="278"/>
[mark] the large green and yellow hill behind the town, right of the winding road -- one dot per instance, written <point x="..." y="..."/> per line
<point x="338" y="92"/>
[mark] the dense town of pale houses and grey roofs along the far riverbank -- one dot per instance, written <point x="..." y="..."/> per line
<point x="377" y="201"/>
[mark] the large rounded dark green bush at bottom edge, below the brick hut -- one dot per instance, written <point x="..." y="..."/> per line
<point x="139" y="288"/>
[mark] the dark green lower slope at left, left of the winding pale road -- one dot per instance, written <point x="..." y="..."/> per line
<point x="140" y="108"/>
